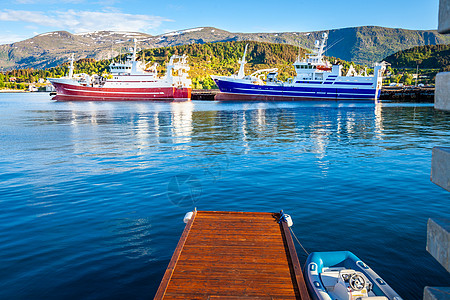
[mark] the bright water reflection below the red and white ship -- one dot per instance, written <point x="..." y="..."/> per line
<point x="150" y="124"/>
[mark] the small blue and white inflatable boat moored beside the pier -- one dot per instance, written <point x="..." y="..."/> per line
<point x="342" y="275"/>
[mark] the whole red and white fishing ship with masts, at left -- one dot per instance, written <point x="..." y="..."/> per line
<point x="129" y="80"/>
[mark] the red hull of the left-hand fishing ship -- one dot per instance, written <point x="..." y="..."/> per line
<point x="68" y="92"/>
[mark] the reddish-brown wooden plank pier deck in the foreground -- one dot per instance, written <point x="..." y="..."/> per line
<point x="234" y="255"/>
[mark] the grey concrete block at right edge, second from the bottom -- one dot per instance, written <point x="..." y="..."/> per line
<point x="438" y="241"/>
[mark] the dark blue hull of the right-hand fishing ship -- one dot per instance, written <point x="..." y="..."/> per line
<point x="243" y="91"/>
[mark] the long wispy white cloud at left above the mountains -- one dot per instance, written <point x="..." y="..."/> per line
<point x="82" y="21"/>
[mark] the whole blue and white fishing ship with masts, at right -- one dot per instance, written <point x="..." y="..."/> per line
<point x="316" y="79"/>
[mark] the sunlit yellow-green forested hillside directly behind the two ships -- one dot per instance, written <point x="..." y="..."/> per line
<point x="204" y="60"/>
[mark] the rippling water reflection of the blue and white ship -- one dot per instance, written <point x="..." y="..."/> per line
<point x="313" y="129"/>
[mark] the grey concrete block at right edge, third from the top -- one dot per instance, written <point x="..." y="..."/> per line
<point x="440" y="167"/>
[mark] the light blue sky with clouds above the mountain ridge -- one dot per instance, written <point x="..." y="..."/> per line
<point x="21" y="19"/>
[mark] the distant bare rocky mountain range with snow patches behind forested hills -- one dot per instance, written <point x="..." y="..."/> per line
<point x="363" y="45"/>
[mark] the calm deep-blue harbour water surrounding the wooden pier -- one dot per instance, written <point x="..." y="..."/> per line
<point x="93" y="194"/>
